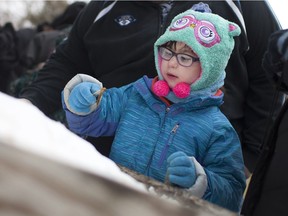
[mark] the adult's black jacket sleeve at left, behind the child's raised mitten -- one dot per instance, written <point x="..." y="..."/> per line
<point x="69" y="59"/>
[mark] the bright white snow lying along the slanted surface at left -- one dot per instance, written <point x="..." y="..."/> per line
<point x="24" y="126"/>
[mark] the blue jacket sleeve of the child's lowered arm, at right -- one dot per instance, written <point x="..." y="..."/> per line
<point x="224" y="167"/>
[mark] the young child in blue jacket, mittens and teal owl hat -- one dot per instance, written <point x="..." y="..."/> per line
<point x="170" y="127"/>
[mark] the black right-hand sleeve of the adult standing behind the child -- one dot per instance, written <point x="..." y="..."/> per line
<point x="261" y="93"/>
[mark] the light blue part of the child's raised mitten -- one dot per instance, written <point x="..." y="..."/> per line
<point x="81" y="97"/>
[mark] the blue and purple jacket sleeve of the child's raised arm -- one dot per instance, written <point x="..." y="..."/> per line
<point x="103" y="121"/>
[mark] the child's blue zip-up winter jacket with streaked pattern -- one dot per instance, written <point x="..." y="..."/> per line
<point x="147" y="131"/>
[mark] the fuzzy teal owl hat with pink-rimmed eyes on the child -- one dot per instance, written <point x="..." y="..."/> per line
<point x="210" y="37"/>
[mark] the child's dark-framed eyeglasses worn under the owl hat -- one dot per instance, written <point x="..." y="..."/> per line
<point x="182" y="59"/>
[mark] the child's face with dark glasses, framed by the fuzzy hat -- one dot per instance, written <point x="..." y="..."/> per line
<point x="173" y="72"/>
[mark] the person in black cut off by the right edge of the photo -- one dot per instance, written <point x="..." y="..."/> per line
<point x="268" y="188"/>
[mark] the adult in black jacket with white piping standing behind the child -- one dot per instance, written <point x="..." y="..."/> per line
<point x="113" y="42"/>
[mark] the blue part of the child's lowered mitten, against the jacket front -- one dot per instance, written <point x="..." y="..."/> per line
<point x="181" y="170"/>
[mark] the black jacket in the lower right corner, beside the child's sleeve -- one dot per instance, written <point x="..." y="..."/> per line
<point x="267" y="192"/>
